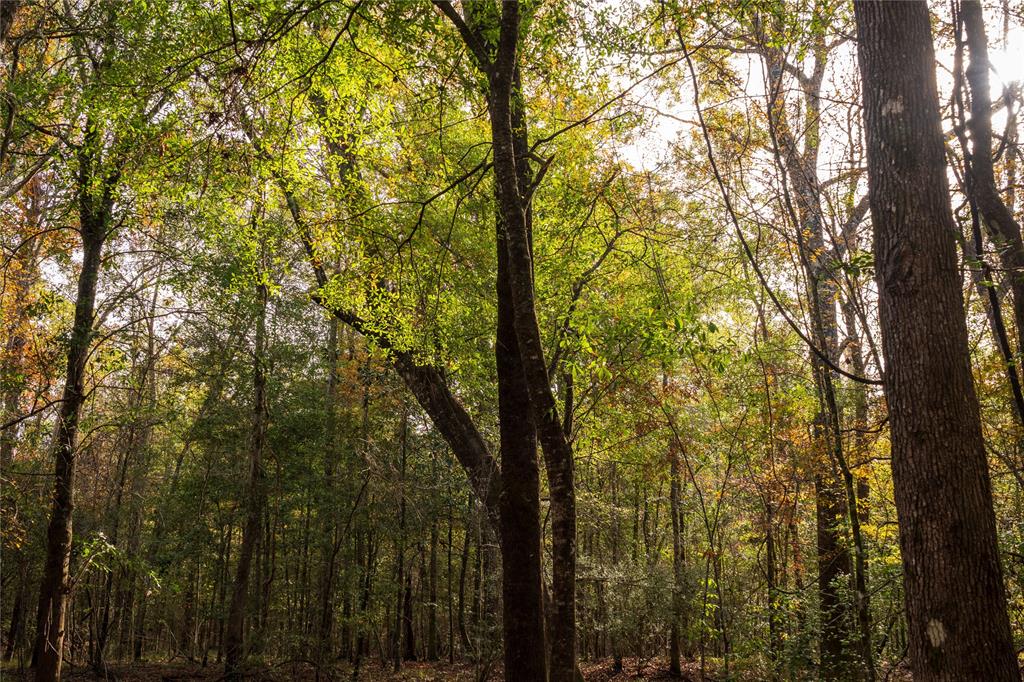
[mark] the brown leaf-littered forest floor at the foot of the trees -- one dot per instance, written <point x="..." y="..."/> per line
<point x="601" y="671"/>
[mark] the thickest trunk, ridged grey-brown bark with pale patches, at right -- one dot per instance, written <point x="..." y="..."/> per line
<point x="956" y="601"/>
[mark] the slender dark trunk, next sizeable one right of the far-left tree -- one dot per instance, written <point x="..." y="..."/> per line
<point x="254" y="504"/>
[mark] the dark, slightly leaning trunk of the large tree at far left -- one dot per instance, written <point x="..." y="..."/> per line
<point x="95" y="217"/>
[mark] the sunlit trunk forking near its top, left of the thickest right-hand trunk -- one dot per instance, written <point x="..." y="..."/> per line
<point x="836" y="497"/>
